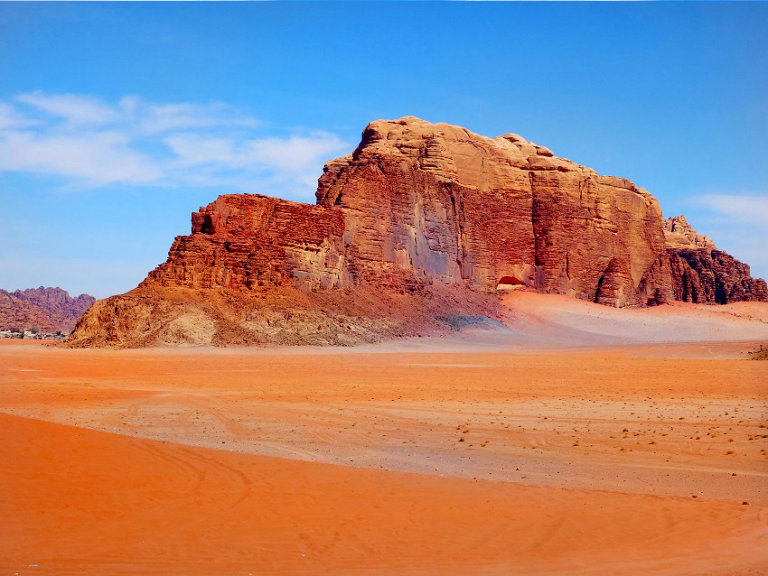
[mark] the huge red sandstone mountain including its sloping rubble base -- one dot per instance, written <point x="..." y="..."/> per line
<point x="417" y="229"/>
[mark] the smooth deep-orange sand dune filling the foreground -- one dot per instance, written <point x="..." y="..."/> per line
<point x="85" y="502"/>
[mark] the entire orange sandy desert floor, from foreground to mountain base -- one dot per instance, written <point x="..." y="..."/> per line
<point x="581" y="440"/>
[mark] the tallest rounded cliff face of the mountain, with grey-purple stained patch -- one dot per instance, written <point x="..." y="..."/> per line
<point x="432" y="202"/>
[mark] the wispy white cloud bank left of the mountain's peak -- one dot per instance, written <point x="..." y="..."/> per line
<point x="92" y="143"/>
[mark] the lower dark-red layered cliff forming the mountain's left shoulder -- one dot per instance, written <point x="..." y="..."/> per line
<point x="254" y="242"/>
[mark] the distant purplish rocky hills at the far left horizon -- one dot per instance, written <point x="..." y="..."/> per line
<point x="43" y="309"/>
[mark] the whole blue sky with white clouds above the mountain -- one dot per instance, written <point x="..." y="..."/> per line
<point x="118" y="120"/>
